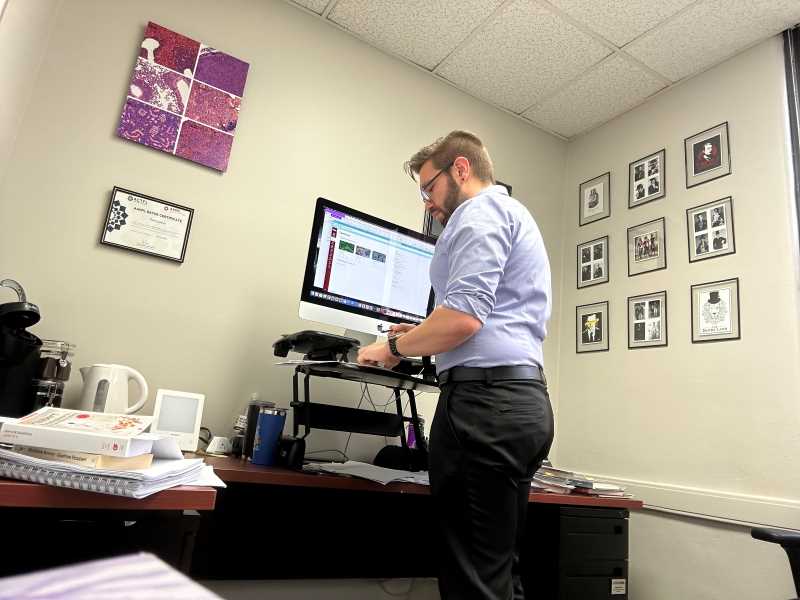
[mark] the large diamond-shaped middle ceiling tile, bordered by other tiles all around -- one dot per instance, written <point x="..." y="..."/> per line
<point x="522" y="55"/>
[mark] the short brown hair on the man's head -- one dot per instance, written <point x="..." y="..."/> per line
<point x="445" y="150"/>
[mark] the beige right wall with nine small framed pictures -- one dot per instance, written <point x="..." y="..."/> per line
<point x="709" y="429"/>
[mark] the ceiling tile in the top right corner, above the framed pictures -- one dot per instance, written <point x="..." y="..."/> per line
<point x="710" y="32"/>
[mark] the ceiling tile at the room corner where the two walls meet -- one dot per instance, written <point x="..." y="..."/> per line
<point x="613" y="87"/>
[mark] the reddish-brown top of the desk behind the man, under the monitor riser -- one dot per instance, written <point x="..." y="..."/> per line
<point x="241" y="471"/>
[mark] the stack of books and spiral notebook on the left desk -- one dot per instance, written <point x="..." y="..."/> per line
<point x="97" y="452"/>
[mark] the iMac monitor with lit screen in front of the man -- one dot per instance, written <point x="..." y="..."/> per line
<point x="364" y="273"/>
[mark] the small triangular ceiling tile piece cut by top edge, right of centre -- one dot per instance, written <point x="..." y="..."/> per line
<point x="620" y="22"/>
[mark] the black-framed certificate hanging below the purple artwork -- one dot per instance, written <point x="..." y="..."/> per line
<point x="147" y="225"/>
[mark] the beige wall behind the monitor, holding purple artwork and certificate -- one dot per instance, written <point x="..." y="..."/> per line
<point x="323" y="115"/>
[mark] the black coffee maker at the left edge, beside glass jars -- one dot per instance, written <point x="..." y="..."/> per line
<point x="19" y="352"/>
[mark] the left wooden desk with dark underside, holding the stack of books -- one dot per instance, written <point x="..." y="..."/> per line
<point x="79" y="526"/>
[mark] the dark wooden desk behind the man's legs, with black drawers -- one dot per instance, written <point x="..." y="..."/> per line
<point x="328" y="526"/>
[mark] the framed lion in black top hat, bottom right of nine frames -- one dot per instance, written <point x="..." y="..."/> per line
<point x="715" y="311"/>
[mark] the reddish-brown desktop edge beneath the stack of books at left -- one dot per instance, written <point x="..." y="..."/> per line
<point x="21" y="494"/>
